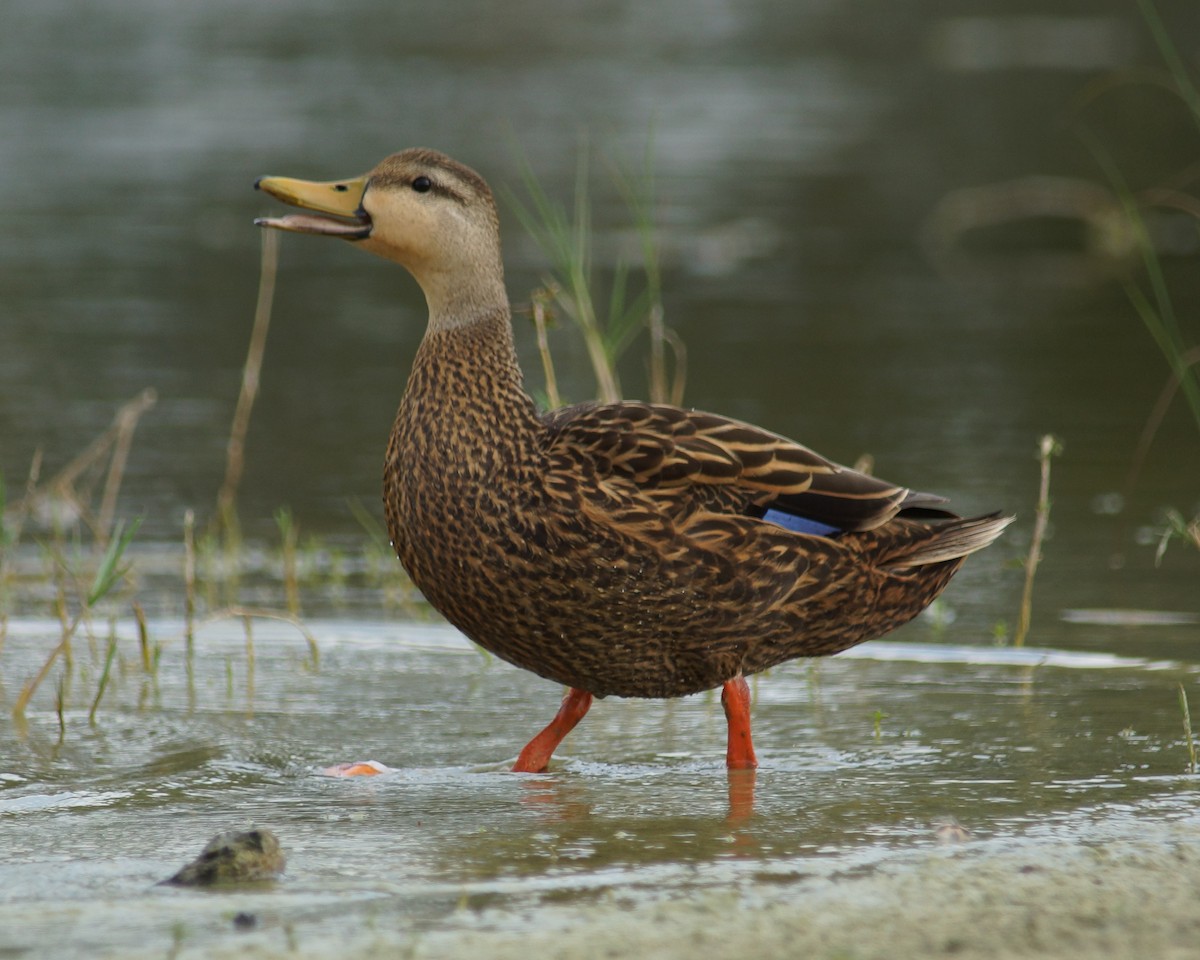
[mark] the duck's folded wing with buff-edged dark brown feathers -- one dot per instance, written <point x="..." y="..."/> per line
<point x="686" y="460"/>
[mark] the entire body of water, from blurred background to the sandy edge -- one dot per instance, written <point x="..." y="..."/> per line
<point x="806" y="160"/>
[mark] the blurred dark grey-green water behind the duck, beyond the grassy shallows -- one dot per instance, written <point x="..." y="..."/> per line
<point x="886" y="230"/>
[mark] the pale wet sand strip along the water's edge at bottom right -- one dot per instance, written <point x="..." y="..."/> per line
<point x="1126" y="897"/>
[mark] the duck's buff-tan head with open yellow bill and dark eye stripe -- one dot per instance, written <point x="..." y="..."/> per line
<point x="419" y="208"/>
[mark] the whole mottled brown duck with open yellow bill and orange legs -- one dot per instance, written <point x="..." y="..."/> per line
<point x="622" y="549"/>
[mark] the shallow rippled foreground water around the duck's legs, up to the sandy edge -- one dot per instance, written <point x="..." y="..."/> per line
<point x="863" y="758"/>
